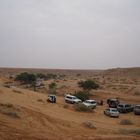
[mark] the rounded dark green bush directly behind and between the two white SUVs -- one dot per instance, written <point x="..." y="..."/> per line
<point x="83" y="95"/>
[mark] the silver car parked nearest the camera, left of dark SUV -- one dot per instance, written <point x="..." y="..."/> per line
<point x="112" y="112"/>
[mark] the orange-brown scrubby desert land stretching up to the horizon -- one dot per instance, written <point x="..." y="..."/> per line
<point x="25" y="114"/>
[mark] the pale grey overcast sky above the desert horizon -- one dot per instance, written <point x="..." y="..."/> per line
<point x="75" y="34"/>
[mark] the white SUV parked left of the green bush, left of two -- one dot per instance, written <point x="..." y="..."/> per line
<point x="72" y="99"/>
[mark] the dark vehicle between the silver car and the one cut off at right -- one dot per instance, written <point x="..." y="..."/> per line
<point x="124" y="108"/>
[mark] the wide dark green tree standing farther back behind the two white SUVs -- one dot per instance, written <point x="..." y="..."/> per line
<point x="88" y="85"/>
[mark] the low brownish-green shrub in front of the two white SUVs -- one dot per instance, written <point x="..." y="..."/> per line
<point x="81" y="107"/>
